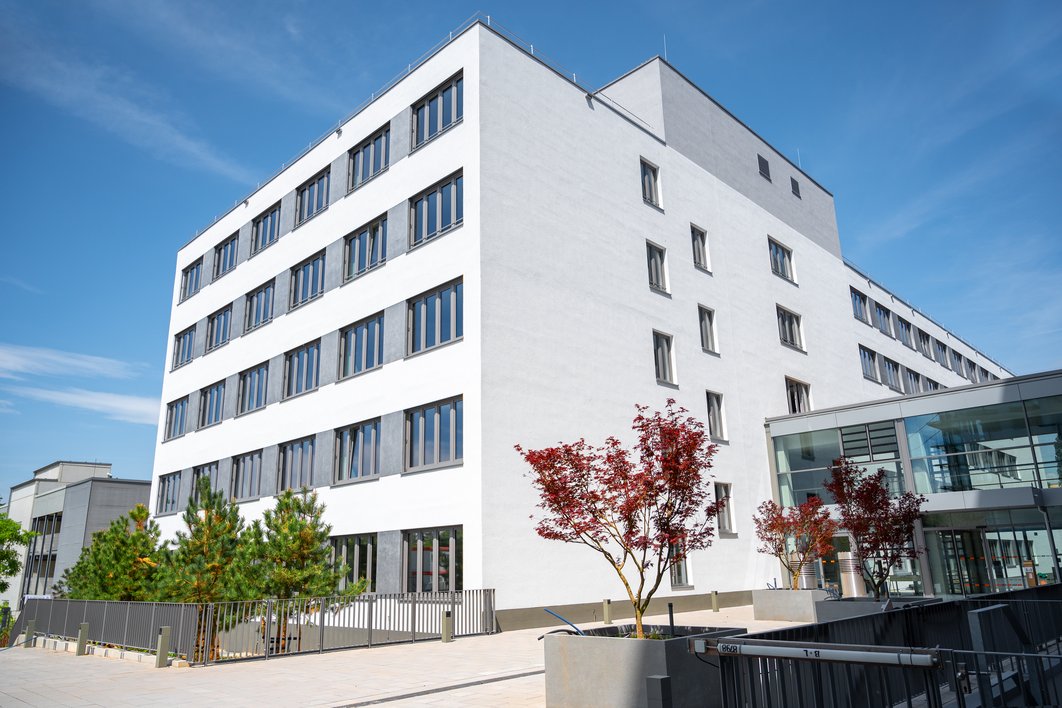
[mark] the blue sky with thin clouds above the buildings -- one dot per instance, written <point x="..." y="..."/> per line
<point x="127" y="126"/>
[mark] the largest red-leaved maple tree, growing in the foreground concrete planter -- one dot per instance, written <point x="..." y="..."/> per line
<point x="644" y="510"/>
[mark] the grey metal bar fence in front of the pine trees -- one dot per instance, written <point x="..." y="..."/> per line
<point x="263" y="629"/>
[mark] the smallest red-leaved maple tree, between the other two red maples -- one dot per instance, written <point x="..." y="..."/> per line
<point x="795" y="536"/>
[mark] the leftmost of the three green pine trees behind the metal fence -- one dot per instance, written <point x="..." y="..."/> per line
<point x="122" y="563"/>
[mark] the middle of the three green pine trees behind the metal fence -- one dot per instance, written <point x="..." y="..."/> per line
<point x="205" y="563"/>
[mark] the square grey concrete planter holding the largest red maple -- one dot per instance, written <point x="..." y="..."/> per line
<point x="612" y="670"/>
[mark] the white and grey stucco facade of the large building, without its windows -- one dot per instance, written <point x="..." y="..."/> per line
<point x="558" y="313"/>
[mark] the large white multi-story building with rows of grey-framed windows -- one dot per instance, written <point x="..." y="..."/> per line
<point x="489" y="254"/>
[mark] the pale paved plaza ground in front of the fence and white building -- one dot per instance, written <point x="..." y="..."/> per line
<point x="503" y="669"/>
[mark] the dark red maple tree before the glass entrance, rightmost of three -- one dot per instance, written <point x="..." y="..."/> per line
<point x="882" y="529"/>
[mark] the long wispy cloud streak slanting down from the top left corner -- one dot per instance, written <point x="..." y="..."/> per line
<point x="106" y="97"/>
